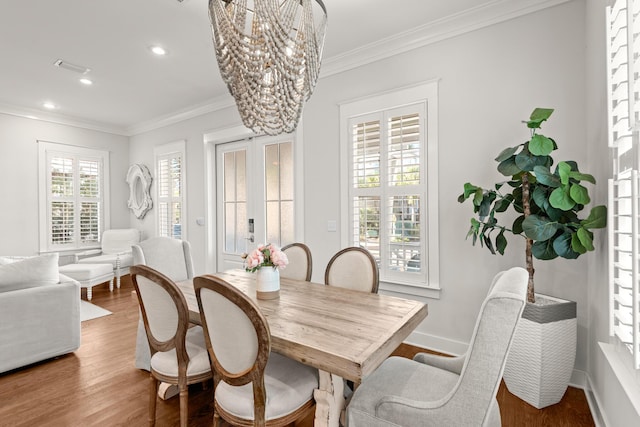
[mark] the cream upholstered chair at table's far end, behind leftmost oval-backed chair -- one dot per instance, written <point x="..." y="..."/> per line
<point x="171" y="257"/>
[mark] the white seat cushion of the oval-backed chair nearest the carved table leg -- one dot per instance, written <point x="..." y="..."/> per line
<point x="289" y="385"/>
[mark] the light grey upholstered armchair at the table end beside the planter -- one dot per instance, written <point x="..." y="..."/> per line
<point x="433" y="390"/>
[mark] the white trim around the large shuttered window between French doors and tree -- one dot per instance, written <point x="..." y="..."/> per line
<point x="426" y="92"/>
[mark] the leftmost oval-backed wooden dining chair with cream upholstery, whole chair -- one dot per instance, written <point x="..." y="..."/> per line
<point x="178" y="353"/>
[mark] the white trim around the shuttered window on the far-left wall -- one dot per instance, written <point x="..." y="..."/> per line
<point x="45" y="147"/>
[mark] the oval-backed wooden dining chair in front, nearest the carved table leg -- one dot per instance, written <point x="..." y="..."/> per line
<point x="252" y="386"/>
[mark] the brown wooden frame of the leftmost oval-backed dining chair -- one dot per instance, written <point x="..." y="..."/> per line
<point x="177" y="342"/>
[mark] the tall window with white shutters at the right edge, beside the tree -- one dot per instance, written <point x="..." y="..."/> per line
<point x="624" y="197"/>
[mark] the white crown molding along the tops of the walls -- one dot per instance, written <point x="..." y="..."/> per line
<point x="470" y="20"/>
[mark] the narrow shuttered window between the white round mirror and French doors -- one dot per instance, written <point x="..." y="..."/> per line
<point x="170" y="197"/>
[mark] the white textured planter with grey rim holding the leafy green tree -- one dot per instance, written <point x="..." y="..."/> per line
<point x="543" y="353"/>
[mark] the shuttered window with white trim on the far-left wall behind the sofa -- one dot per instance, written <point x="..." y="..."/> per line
<point x="73" y="202"/>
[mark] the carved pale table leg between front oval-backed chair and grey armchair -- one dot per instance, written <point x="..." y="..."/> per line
<point x="329" y="400"/>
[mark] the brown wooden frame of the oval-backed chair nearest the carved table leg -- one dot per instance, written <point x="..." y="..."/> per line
<point x="255" y="374"/>
